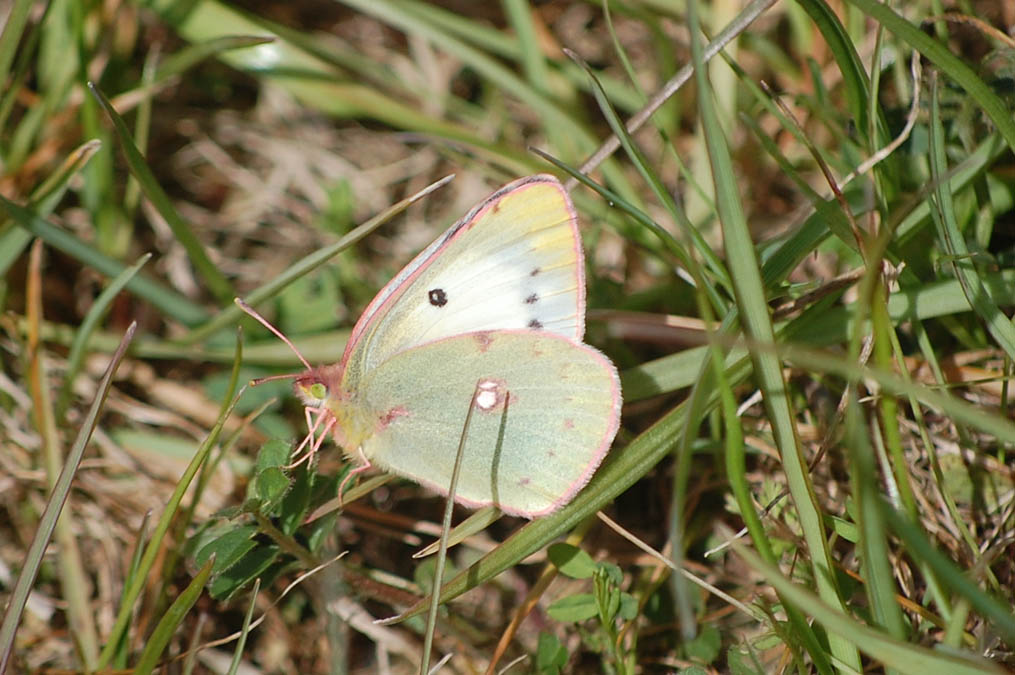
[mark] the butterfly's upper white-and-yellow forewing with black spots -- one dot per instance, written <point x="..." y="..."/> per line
<point x="514" y="263"/>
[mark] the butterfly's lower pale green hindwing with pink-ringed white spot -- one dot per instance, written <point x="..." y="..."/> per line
<point x="545" y="415"/>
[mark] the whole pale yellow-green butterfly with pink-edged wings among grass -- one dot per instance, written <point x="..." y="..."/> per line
<point x="490" y="316"/>
